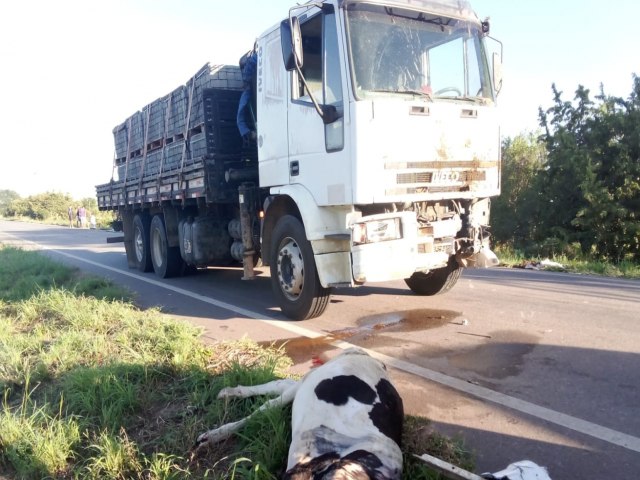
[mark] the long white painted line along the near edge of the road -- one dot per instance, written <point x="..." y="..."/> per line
<point x="573" y="423"/>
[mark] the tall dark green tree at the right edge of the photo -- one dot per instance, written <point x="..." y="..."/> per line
<point x="591" y="183"/>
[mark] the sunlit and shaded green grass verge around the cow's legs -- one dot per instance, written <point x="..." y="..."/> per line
<point x="95" y="388"/>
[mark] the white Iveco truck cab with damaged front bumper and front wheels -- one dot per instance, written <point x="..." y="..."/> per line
<point x="378" y="140"/>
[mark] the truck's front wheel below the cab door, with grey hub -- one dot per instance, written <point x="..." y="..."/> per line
<point x="294" y="277"/>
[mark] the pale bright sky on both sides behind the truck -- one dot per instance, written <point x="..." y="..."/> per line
<point x="71" y="70"/>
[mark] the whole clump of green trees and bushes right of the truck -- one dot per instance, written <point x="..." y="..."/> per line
<point x="585" y="191"/>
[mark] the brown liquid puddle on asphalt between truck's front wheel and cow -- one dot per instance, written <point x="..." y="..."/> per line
<point x="302" y="349"/>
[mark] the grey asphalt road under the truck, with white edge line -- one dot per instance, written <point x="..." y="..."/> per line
<point x="520" y="364"/>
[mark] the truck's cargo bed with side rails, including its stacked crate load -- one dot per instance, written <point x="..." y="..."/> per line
<point x="181" y="145"/>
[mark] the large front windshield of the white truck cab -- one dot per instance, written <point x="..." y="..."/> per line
<point x="398" y="51"/>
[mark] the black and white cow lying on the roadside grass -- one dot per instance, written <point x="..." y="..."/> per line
<point x="346" y="420"/>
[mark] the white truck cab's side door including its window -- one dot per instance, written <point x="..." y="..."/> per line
<point x="318" y="153"/>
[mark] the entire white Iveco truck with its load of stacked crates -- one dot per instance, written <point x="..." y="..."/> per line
<point x="371" y="151"/>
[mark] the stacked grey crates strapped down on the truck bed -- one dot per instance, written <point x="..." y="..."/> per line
<point x="194" y="122"/>
